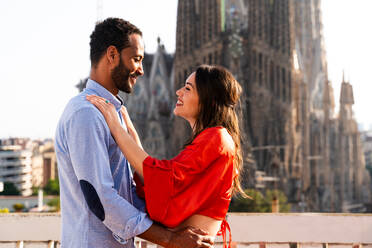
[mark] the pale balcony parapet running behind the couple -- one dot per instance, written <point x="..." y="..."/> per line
<point x="308" y="230"/>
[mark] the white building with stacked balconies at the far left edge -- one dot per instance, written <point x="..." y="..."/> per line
<point x="15" y="167"/>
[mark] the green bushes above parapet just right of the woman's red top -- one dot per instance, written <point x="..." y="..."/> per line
<point x="259" y="203"/>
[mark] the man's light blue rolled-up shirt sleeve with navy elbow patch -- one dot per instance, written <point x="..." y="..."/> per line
<point x="88" y="142"/>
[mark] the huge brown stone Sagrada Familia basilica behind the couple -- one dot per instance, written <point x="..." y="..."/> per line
<point x="293" y="139"/>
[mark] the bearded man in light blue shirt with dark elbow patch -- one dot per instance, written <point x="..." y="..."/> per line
<point x="98" y="201"/>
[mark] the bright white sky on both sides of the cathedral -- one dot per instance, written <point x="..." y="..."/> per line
<point x="44" y="52"/>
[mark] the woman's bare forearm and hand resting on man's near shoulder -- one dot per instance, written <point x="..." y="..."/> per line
<point x="131" y="150"/>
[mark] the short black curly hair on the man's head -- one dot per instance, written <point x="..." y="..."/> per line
<point x="110" y="32"/>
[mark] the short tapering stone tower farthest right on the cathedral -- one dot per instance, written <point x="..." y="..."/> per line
<point x="351" y="181"/>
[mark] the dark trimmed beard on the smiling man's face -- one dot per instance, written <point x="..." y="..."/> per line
<point x="120" y="75"/>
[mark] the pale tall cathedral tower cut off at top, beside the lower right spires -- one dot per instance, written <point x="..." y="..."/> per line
<point x="315" y="110"/>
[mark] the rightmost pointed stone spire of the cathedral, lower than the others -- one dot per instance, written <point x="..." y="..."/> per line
<point x="350" y="173"/>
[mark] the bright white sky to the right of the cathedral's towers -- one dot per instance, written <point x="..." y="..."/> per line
<point x="348" y="43"/>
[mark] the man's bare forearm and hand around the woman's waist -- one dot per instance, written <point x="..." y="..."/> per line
<point x="188" y="237"/>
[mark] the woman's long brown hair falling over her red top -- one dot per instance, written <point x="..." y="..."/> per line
<point x="219" y="93"/>
